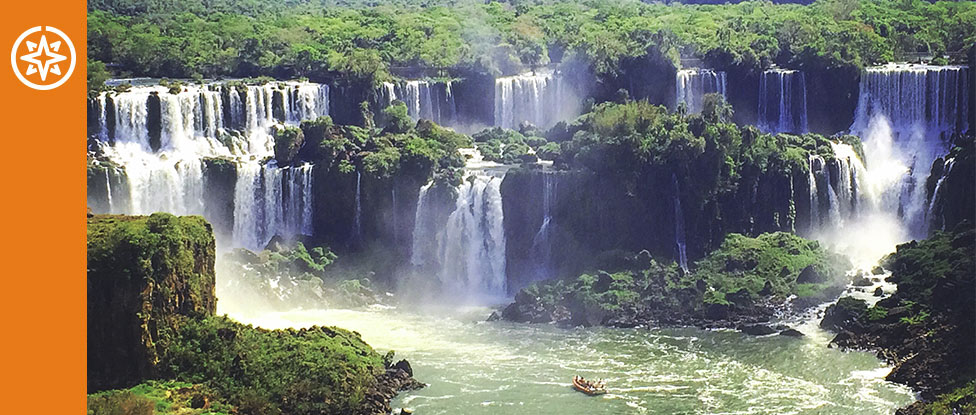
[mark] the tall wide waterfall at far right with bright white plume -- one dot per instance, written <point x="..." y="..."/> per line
<point x="905" y="115"/>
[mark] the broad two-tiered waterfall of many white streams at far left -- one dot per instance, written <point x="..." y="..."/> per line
<point x="211" y="121"/>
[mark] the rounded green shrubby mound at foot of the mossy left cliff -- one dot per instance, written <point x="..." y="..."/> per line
<point x="309" y="371"/>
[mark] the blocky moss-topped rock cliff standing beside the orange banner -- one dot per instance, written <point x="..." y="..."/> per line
<point x="143" y="273"/>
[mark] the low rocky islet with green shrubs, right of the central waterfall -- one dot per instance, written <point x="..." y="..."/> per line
<point x="732" y="279"/>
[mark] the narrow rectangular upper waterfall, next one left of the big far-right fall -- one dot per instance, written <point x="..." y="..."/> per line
<point x="782" y="101"/>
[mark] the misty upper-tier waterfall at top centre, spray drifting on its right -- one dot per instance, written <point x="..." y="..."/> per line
<point x="540" y="98"/>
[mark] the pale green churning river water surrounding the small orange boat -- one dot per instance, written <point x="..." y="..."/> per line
<point x="475" y="367"/>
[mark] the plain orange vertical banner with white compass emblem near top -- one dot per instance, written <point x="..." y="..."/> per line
<point x="42" y="177"/>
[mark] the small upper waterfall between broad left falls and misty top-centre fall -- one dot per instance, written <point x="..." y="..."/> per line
<point x="428" y="100"/>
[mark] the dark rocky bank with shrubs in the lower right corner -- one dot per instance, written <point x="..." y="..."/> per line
<point x="926" y="326"/>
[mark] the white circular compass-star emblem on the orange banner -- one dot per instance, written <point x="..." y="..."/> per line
<point x="43" y="57"/>
